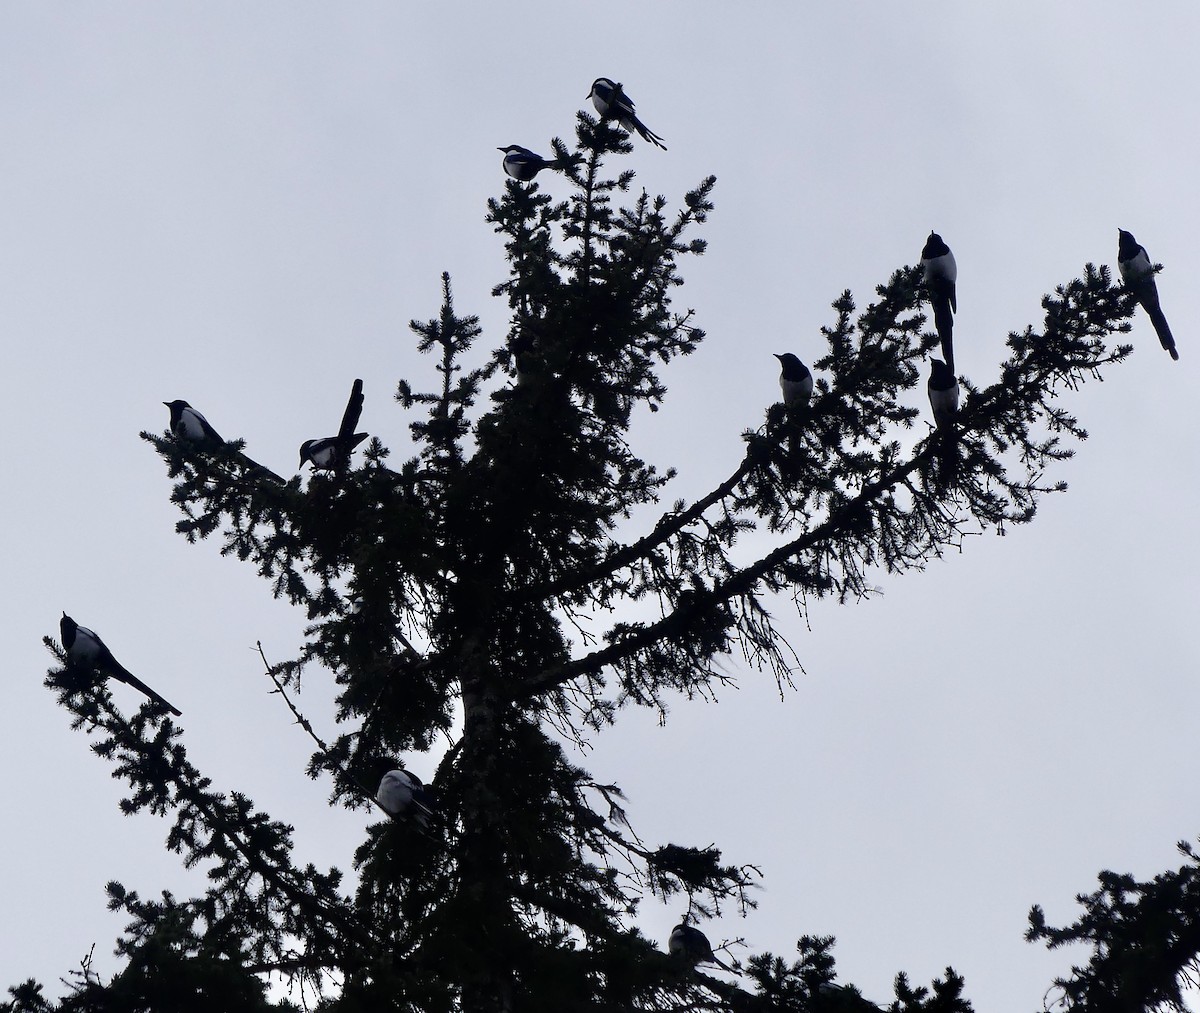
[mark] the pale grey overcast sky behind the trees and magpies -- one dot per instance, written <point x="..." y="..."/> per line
<point x="244" y="205"/>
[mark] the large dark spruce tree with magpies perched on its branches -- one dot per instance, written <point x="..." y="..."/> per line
<point x="520" y="582"/>
